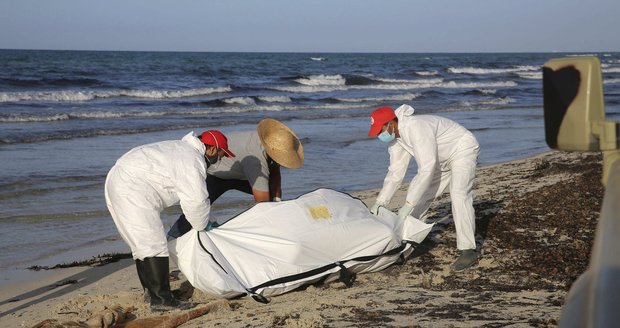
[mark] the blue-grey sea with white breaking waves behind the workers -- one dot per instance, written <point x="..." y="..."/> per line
<point x="67" y="116"/>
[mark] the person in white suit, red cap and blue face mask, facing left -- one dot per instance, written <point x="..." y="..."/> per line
<point x="446" y="154"/>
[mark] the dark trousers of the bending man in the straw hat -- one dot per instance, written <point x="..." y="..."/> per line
<point x="216" y="187"/>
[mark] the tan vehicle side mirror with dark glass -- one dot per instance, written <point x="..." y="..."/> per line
<point x="574" y="106"/>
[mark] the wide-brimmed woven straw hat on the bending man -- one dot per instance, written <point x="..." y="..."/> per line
<point x="280" y="143"/>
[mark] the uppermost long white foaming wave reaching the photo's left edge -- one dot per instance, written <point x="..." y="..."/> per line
<point x="78" y="96"/>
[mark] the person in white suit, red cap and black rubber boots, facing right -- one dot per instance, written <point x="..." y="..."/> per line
<point x="144" y="182"/>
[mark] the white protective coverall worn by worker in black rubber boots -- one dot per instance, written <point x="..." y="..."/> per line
<point x="148" y="179"/>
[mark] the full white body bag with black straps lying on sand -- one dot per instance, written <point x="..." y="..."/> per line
<point x="275" y="247"/>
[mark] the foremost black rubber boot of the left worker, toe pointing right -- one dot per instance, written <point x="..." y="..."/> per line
<point x="158" y="285"/>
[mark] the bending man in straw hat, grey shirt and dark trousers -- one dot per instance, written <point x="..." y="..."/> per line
<point x="255" y="169"/>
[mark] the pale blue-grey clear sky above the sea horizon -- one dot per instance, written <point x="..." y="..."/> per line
<point x="312" y="26"/>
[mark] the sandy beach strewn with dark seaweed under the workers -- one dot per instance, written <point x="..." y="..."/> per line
<point x="535" y="226"/>
